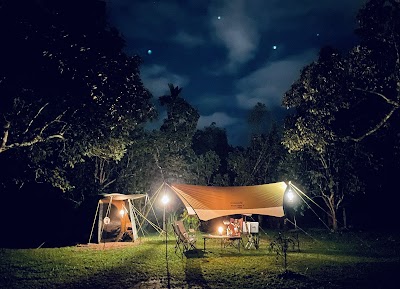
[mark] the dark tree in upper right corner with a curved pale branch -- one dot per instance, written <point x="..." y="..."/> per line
<point x="374" y="64"/>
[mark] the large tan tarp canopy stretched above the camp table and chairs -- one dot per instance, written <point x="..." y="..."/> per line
<point x="212" y="202"/>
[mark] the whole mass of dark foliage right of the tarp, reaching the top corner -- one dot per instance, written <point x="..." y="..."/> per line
<point x="346" y="110"/>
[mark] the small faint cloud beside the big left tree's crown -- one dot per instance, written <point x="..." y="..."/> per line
<point x="157" y="77"/>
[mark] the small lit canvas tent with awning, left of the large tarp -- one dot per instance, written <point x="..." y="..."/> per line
<point x="115" y="217"/>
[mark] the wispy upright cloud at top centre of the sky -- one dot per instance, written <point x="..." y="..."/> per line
<point x="236" y="31"/>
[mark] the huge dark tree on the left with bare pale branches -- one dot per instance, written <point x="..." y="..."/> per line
<point x="69" y="93"/>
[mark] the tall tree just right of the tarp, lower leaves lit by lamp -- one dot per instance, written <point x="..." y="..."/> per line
<point x="315" y="131"/>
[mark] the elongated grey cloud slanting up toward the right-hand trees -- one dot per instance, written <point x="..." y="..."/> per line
<point x="268" y="83"/>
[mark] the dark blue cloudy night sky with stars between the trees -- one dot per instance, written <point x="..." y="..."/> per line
<point x="222" y="52"/>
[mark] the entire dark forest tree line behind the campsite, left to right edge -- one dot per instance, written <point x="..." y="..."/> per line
<point x="74" y="115"/>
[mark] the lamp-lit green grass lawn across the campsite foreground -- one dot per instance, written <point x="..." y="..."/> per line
<point x="348" y="260"/>
